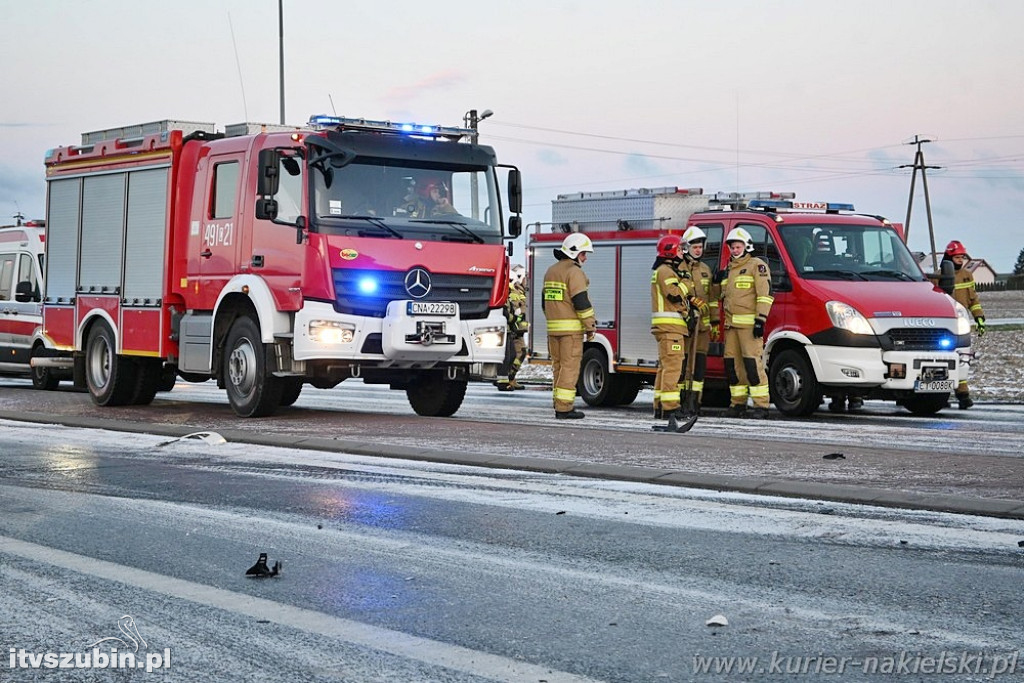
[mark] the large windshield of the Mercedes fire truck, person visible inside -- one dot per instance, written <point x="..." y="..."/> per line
<point x="401" y="199"/>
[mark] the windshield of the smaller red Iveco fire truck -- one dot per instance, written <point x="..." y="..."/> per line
<point x="849" y="252"/>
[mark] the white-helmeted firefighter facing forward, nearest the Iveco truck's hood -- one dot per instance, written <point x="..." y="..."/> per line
<point x="746" y="303"/>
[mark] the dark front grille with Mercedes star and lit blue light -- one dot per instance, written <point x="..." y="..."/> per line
<point x="366" y="292"/>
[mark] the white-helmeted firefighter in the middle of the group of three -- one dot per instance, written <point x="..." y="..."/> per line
<point x="705" y="303"/>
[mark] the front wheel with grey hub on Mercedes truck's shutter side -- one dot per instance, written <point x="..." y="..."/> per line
<point x="252" y="391"/>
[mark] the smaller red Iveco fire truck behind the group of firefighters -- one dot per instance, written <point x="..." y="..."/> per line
<point x="854" y="317"/>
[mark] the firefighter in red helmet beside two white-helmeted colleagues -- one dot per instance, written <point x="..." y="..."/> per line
<point x="669" y="323"/>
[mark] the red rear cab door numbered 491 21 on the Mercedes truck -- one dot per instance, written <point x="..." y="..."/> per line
<point x="215" y="235"/>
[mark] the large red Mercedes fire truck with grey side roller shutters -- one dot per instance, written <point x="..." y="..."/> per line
<point x="268" y="258"/>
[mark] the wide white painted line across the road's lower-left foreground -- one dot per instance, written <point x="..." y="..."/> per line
<point x="420" y="650"/>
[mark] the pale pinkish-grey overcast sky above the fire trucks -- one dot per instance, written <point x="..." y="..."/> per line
<point x="815" y="97"/>
